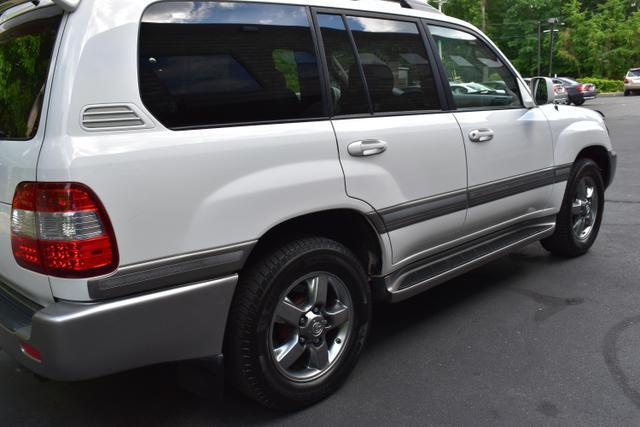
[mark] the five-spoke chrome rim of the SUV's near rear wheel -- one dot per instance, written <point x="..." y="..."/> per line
<point x="311" y="326"/>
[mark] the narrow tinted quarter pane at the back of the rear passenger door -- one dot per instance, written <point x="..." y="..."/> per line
<point x="345" y="78"/>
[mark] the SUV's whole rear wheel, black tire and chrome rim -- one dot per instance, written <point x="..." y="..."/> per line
<point x="298" y="323"/>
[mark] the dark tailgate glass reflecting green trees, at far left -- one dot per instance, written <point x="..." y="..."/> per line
<point x="26" y="48"/>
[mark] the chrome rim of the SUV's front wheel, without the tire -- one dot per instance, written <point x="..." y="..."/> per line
<point x="584" y="209"/>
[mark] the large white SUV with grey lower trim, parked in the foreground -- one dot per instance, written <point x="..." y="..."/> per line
<point x="185" y="179"/>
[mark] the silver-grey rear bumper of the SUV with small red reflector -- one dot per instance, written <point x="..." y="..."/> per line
<point x="83" y="341"/>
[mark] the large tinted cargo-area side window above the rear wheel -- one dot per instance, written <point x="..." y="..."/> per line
<point x="205" y="64"/>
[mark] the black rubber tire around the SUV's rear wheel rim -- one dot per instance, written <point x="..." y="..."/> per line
<point x="251" y="365"/>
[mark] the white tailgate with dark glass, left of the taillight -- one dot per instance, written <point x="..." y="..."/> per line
<point x="28" y="37"/>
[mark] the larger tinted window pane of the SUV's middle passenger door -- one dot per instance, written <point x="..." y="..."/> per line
<point x="395" y="63"/>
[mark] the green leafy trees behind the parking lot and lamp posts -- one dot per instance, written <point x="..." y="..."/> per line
<point x="599" y="38"/>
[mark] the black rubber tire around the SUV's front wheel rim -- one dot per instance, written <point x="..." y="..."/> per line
<point x="564" y="242"/>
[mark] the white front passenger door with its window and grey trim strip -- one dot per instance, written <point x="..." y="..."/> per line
<point x="509" y="147"/>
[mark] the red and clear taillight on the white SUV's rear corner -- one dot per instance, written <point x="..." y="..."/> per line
<point x="61" y="229"/>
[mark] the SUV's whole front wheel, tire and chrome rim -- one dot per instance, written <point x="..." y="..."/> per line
<point x="579" y="220"/>
